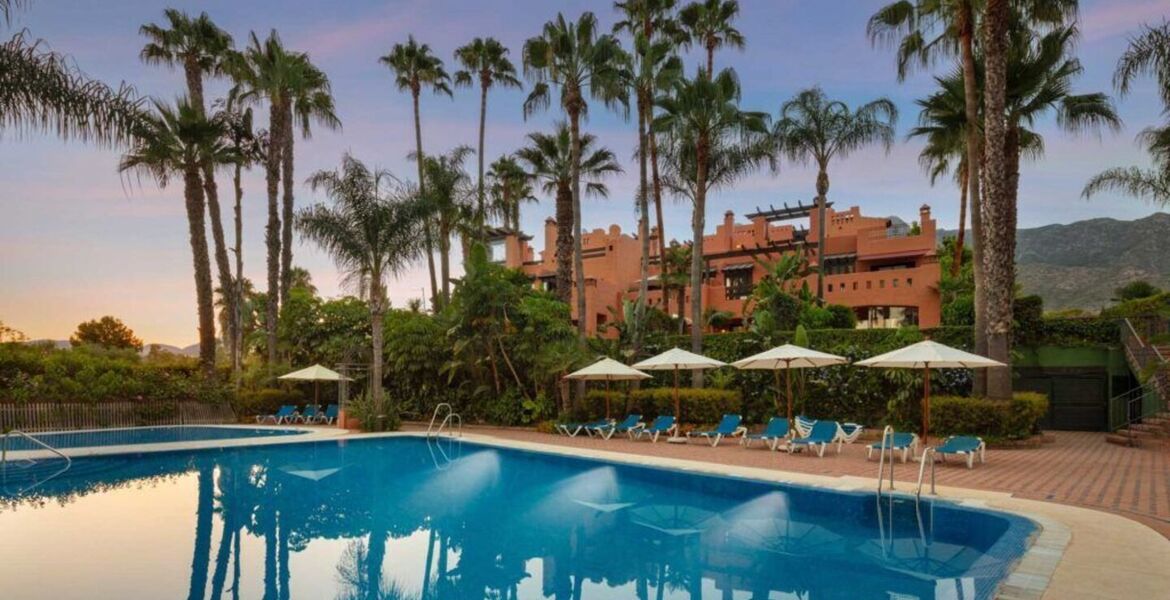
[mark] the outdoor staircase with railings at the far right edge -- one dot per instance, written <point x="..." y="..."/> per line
<point x="1147" y="409"/>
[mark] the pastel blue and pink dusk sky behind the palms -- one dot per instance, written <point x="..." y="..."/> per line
<point x="79" y="242"/>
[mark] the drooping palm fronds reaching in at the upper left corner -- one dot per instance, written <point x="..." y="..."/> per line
<point x="43" y="91"/>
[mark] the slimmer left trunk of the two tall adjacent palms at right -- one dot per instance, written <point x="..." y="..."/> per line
<point x="974" y="195"/>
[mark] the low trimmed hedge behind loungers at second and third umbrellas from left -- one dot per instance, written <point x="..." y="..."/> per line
<point x="701" y="406"/>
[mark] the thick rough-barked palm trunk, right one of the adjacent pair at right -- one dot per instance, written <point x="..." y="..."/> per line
<point x="1000" y="211"/>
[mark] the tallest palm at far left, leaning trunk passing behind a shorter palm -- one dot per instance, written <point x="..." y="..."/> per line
<point x="201" y="49"/>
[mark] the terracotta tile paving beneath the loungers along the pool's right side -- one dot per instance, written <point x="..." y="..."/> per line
<point x="1078" y="468"/>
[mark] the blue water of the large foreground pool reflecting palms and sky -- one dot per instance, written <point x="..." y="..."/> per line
<point x="407" y="519"/>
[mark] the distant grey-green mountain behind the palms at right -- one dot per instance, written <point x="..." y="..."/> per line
<point x="1079" y="265"/>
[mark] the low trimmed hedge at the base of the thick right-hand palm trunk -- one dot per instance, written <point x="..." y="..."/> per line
<point x="994" y="419"/>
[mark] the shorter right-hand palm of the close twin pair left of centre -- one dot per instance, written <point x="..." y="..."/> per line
<point x="311" y="99"/>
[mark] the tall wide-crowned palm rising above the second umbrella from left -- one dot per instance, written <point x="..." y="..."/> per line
<point x="574" y="58"/>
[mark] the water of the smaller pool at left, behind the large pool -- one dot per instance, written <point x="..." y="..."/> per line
<point x="190" y="433"/>
